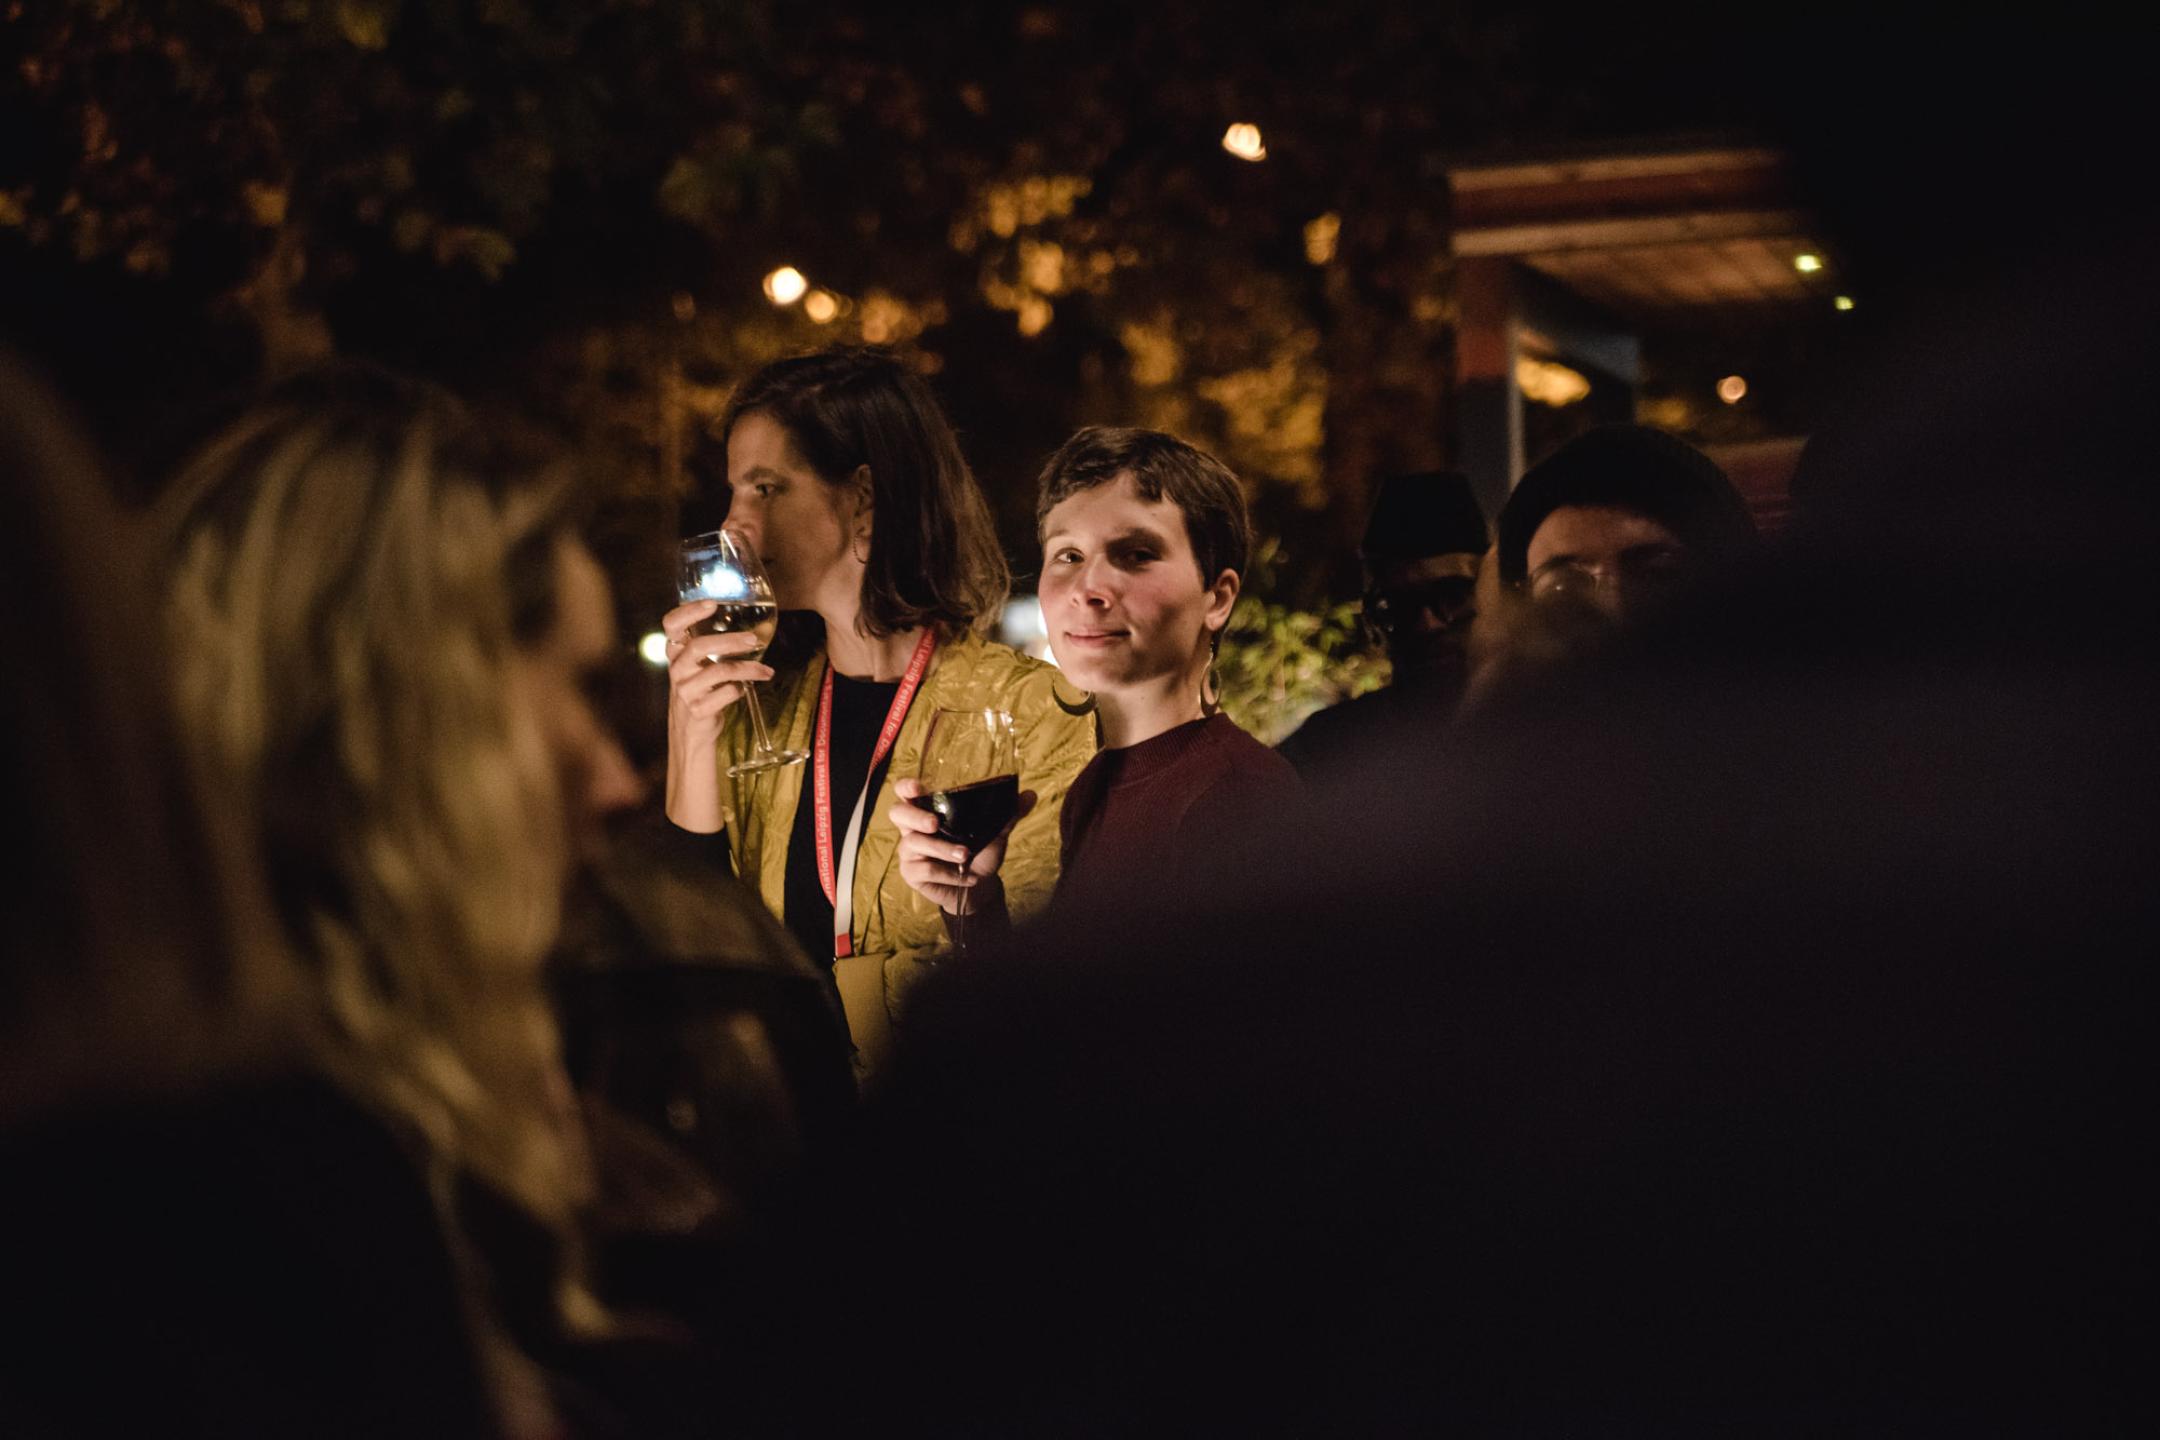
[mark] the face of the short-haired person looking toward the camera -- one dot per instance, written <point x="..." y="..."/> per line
<point x="1122" y="593"/>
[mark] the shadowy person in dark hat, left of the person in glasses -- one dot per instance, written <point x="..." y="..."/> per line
<point x="1420" y="554"/>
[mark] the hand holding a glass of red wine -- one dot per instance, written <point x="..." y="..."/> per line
<point x="960" y="811"/>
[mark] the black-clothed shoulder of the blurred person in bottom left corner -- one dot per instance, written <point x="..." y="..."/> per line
<point x="254" y="1262"/>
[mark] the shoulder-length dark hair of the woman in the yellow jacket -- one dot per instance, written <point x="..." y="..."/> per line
<point x="934" y="549"/>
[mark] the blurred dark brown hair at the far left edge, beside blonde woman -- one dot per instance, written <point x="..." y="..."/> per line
<point x="137" y="949"/>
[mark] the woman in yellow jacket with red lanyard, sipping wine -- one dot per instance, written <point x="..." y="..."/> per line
<point x="848" y="480"/>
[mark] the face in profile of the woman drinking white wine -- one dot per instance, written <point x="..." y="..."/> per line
<point x="805" y="530"/>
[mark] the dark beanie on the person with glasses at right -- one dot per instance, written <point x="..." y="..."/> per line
<point x="1630" y="467"/>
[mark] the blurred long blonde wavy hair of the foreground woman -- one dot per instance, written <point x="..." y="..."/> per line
<point x="345" y="636"/>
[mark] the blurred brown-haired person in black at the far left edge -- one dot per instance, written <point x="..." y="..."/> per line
<point x="213" y="1225"/>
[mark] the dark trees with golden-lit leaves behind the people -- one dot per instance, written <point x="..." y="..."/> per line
<point x="608" y="213"/>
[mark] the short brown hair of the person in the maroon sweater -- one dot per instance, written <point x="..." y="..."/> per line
<point x="1161" y="467"/>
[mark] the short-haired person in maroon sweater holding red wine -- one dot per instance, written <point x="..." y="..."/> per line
<point x="1146" y="543"/>
